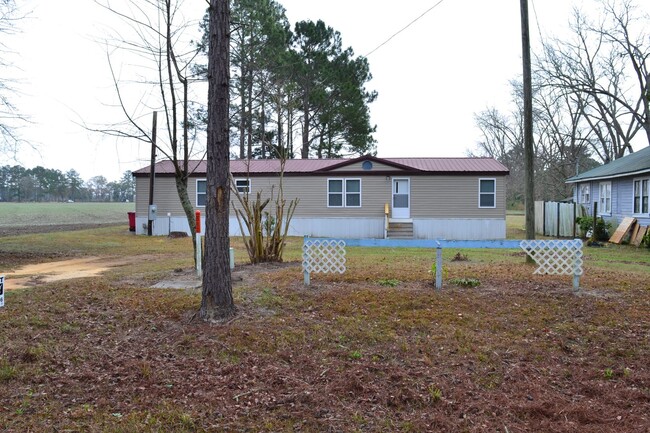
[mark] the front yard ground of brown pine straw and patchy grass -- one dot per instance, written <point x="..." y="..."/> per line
<point x="375" y="349"/>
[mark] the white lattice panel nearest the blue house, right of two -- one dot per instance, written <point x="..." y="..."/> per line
<point x="558" y="257"/>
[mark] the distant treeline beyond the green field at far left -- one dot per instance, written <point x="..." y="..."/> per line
<point x="19" y="184"/>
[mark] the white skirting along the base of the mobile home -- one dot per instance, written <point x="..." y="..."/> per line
<point x="354" y="228"/>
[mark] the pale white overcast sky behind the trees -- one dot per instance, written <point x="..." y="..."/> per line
<point x="454" y="61"/>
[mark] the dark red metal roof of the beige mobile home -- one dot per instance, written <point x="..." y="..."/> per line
<point x="297" y="167"/>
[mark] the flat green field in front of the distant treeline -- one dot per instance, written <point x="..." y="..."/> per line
<point x="24" y="214"/>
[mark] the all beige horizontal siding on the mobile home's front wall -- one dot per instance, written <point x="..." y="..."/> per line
<point x="431" y="196"/>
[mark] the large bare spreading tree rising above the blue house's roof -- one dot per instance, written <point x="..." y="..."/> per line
<point x="605" y="65"/>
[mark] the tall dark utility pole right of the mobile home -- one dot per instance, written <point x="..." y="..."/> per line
<point x="529" y="166"/>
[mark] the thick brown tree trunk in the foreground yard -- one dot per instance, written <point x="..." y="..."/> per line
<point x="216" y="302"/>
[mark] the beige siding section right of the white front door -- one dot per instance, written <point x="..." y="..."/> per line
<point x="453" y="197"/>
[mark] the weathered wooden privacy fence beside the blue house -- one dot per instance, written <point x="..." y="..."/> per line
<point x="558" y="219"/>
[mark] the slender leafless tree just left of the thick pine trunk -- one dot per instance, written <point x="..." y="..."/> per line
<point x="162" y="48"/>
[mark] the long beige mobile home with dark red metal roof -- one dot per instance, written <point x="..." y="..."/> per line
<point x="429" y="198"/>
